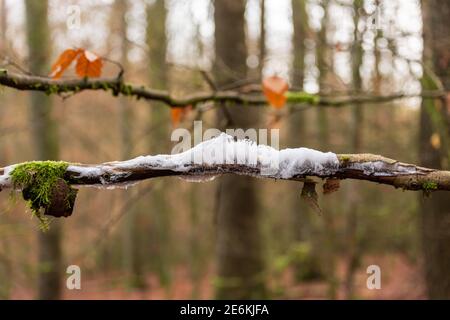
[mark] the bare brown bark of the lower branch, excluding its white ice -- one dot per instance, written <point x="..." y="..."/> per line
<point x="368" y="167"/>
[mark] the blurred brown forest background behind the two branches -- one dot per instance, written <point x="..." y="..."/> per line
<point x="233" y="237"/>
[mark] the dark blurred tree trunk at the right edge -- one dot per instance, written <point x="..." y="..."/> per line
<point x="434" y="120"/>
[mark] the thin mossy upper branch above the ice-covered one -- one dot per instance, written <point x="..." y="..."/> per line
<point x="118" y="87"/>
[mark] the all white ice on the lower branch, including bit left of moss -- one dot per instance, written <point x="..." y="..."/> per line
<point x="211" y="158"/>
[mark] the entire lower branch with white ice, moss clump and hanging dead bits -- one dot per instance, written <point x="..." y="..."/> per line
<point x="49" y="186"/>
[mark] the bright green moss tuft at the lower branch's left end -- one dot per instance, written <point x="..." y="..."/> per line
<point x="38" y="180"/>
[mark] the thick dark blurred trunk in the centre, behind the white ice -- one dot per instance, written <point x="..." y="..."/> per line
<point x="239" y="249"/>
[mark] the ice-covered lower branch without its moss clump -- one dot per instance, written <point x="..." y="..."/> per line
<point x="224" y="155"/>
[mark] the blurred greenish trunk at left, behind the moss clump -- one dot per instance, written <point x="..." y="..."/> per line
<point x="45" y="142"/>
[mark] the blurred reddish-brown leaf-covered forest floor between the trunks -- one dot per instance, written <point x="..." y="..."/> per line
<point x="400" y="279"/>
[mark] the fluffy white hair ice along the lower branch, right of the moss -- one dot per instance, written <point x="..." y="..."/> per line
<point x="225" y="150"/>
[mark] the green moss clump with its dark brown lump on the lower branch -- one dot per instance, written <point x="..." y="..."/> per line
<point x="43" y="186"/>
